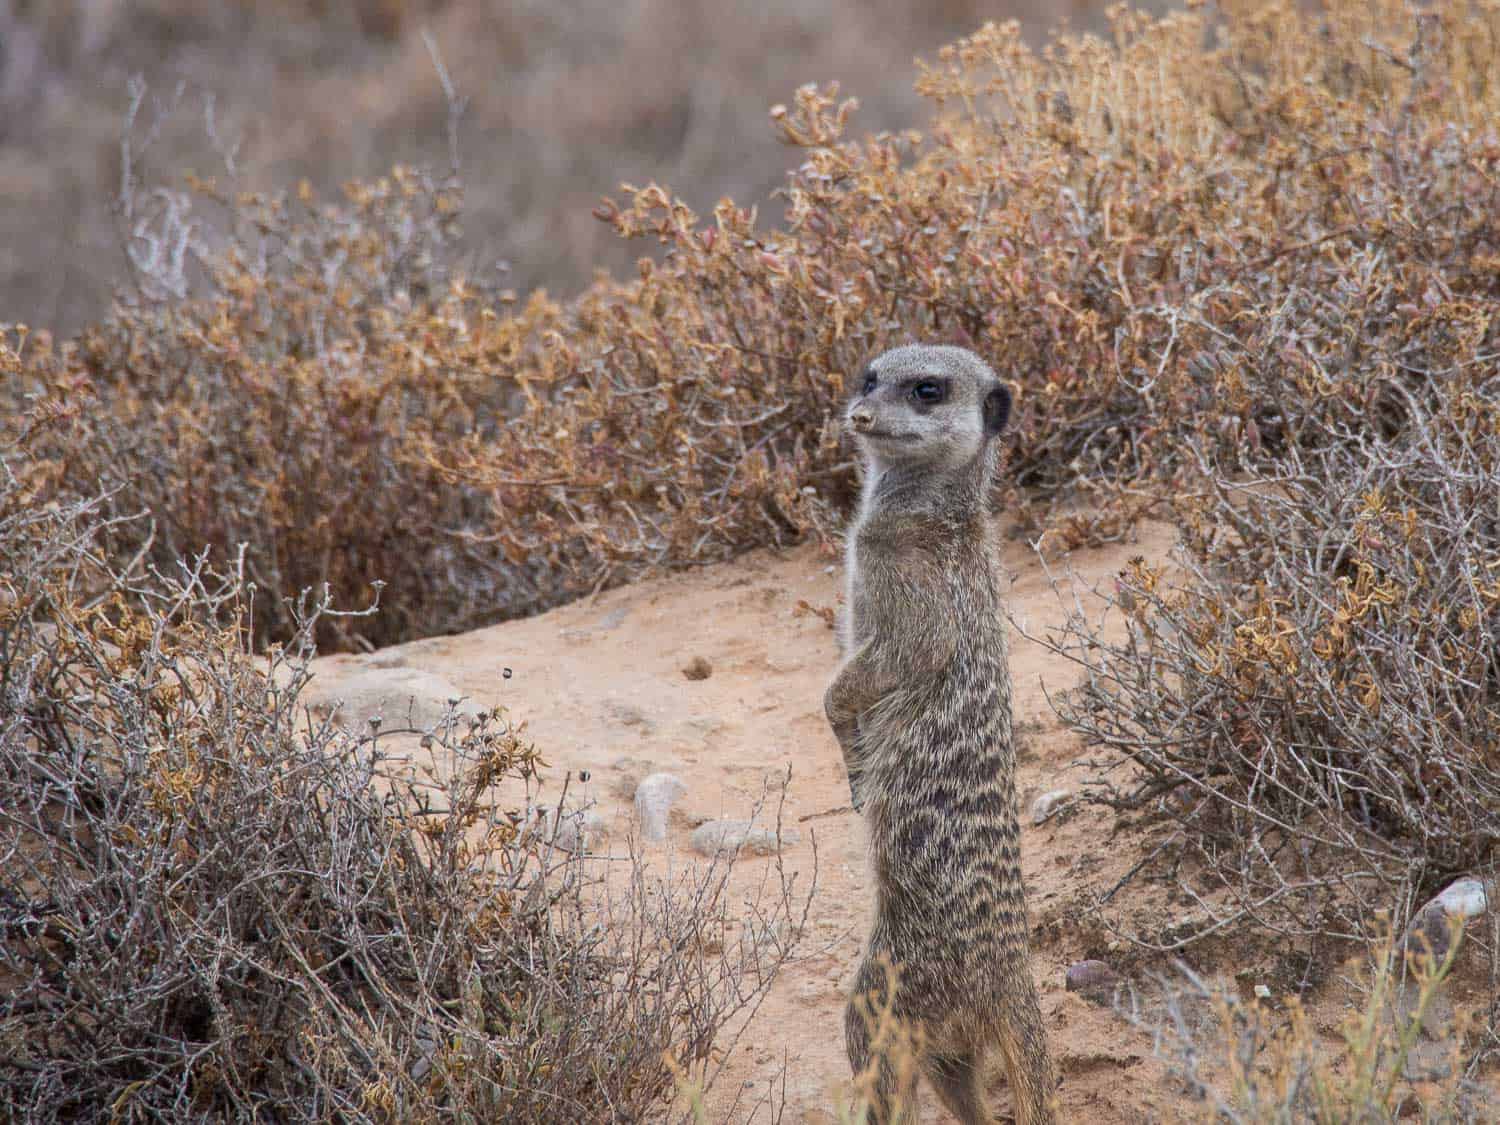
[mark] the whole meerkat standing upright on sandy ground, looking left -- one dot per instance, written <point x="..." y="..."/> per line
<point x="922" y="707"/>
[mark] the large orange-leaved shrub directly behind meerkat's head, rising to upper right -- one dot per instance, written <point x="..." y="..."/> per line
<point x="1132" y="233"/>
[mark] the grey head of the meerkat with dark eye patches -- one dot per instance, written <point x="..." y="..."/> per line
<point x="928" y="406"/>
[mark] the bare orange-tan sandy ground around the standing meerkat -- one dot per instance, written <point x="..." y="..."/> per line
<point x="602" y="689"/>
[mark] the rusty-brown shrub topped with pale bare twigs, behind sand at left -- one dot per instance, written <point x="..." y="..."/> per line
<point x="280" y="410"/>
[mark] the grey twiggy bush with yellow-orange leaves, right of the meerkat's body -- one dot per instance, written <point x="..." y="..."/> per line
<point x="1312" y="688"/>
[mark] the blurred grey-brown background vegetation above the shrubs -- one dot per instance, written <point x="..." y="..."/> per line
<point x="565" y="103"/>
